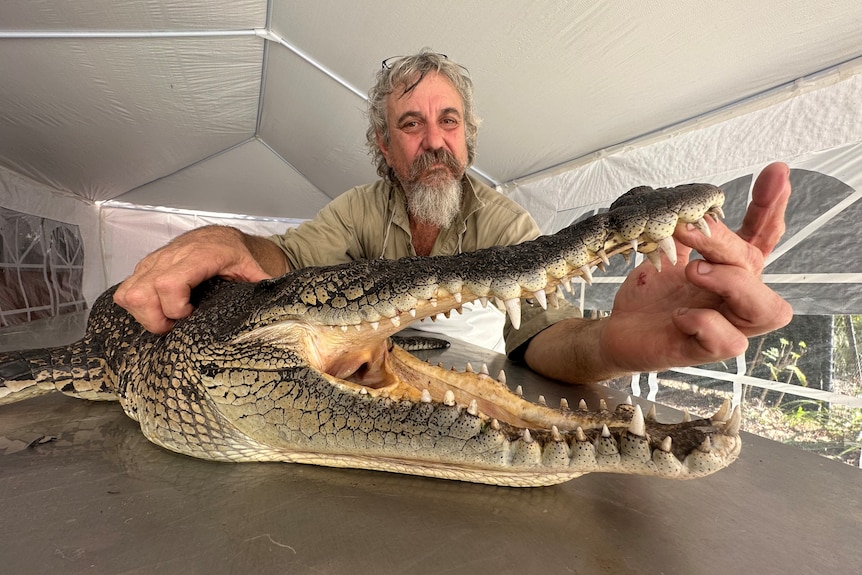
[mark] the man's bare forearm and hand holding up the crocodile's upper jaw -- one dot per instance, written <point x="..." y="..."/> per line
<point x="692" y="313"/>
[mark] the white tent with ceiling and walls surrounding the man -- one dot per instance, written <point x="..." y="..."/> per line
<point x="137" y="120"/>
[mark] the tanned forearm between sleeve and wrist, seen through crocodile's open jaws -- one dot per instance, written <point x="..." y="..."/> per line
<point x="570" y="351"/>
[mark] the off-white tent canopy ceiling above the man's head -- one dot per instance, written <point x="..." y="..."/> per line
<point x="256" y="107"/>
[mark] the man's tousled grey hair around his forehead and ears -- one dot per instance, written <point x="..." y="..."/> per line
<point x="404" y="74"/>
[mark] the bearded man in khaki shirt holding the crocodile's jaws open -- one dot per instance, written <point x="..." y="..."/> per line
<point x="422" y="136"/>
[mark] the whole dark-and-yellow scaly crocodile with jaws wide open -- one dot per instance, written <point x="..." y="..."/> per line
<point x="301" y="368"/>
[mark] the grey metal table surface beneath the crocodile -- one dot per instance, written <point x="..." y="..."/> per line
<point x="99" y="498"/>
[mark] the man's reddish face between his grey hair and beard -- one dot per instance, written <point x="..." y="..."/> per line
<point x="428" y="118"/>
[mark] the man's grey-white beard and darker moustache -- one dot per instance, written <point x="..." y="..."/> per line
<point x="434" y="198"/>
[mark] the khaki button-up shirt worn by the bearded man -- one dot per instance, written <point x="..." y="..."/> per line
<point x="371" y="221"/>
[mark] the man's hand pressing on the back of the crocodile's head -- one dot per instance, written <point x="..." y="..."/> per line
<point x="158" y="291"/>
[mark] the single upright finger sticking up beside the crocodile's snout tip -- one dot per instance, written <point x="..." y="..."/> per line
<point x="763" y="224"/>
